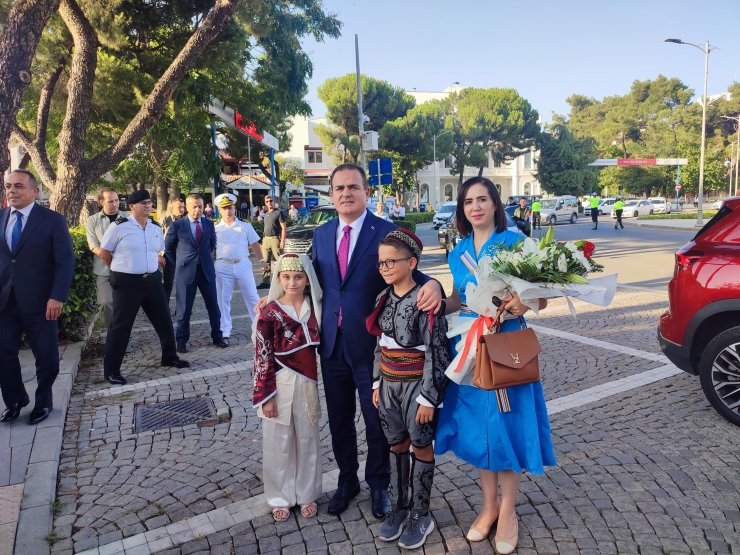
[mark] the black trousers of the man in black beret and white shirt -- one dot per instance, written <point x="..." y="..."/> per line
<point x="131" y="291"/>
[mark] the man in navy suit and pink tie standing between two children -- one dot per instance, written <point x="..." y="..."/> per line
<point x="345" y="256"/>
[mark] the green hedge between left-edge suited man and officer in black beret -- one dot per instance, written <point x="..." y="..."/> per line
<point x="81" y="306"/>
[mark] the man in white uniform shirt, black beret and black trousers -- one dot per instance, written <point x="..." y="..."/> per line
<point x="133" y="248"/>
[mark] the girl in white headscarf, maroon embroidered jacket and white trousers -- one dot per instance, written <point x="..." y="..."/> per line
<point x="286" y="393"/>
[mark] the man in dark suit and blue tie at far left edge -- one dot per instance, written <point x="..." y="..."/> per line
<point x="36" y="269"/>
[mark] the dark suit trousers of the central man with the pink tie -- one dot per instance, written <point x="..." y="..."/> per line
<point x="341" y="379"/>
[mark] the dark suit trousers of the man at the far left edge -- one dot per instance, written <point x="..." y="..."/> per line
<point x="43" y="336"/>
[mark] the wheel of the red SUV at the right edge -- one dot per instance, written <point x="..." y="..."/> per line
<point x="719" y="372"/>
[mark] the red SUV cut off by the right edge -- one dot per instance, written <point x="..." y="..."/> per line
<point x="700" y="331"/>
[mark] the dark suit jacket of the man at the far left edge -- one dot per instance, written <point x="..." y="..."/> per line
<point x="44" y="264"/>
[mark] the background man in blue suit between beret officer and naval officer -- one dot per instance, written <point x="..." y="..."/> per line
<point x="191" y="242"/>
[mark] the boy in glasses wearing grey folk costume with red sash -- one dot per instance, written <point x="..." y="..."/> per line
<point x="409" y="378"/>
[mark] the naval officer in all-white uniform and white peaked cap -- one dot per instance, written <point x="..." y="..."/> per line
<point x="233" y="239"/>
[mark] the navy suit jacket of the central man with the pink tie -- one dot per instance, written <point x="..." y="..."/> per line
<point x="357" y="292"/>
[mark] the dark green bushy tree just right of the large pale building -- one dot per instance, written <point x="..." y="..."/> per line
<point x="562" y="165"/>
